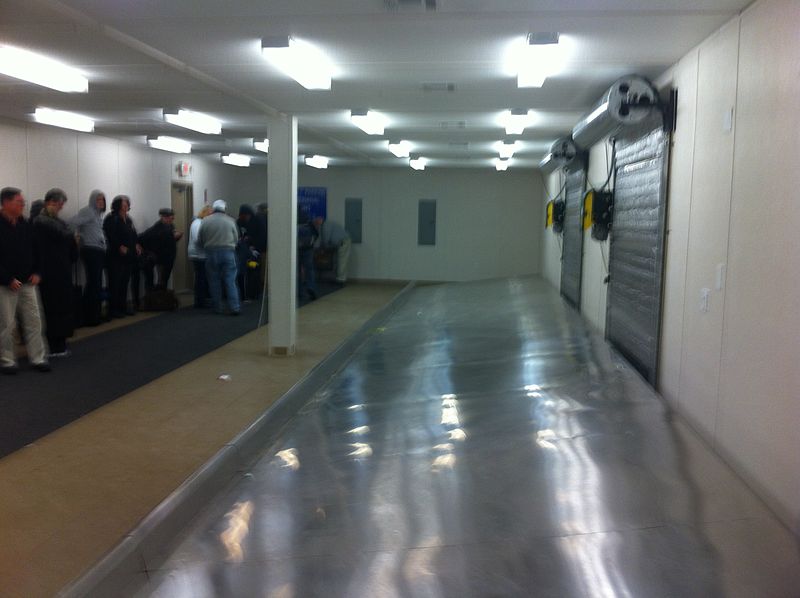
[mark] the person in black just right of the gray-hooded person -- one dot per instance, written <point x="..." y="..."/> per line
<point x="123" y="254"/>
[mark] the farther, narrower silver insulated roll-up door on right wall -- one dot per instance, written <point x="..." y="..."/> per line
<point x="572" y="252"/>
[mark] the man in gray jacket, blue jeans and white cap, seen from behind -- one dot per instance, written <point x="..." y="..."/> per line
<point x="218" y="237"/>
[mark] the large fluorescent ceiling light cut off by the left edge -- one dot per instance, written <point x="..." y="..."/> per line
<point x="38" y="69"/>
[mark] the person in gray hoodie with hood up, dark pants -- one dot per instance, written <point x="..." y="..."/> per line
<point x="88" y="224"/>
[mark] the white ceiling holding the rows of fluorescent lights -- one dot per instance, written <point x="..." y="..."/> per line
<point x="204" y="55"/>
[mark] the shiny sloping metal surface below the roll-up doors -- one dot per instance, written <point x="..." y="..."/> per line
<point x="484" y="443"/>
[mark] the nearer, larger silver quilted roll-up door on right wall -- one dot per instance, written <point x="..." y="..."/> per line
<point x="636" y="250"/>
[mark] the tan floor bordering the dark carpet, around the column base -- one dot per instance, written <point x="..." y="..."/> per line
<point x="70" y="497"/>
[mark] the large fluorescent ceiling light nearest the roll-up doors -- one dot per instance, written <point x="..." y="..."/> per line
<point x="532" y="60"/>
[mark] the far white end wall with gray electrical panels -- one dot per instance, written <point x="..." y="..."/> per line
<point x="488" y="224"/>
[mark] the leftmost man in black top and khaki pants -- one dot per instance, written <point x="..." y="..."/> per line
<point x="19" y="277"/>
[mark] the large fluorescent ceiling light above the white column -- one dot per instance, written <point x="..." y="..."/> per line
<point x="301" y="61"/>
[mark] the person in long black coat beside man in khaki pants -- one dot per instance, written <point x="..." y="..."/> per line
<point x="58" y="250"/>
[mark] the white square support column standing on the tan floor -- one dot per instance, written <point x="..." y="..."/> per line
<point x="282" y="249"/>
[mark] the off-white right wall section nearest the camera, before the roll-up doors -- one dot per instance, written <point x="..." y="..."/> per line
<point x="732" y="370"/>
